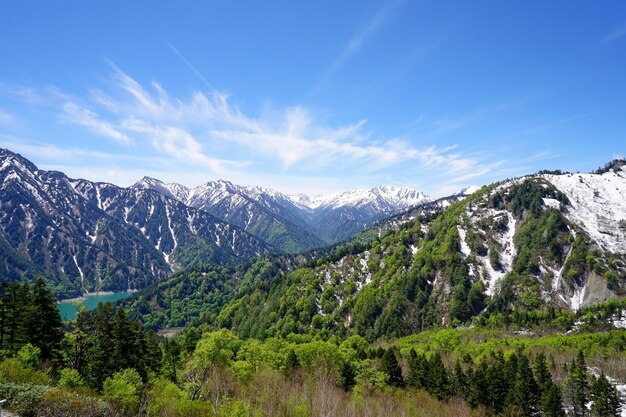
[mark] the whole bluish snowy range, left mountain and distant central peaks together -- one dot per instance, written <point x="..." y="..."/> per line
<point x="86" y="236"/>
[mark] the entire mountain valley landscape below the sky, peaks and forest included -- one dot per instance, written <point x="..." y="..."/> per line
<point x="521" y="276"/>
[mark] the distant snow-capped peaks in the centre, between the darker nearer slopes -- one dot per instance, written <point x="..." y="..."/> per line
<point x="292" y="222"/>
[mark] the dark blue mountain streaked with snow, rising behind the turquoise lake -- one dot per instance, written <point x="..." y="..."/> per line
<point x="86" y="236"/>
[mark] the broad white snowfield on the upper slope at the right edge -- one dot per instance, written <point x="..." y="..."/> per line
<point x="598" y="205"/>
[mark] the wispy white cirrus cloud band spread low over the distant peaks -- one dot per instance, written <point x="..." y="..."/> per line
<point x="205" y="132"/>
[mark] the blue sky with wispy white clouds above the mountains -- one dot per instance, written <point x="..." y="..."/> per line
<point x="314" y="96"/>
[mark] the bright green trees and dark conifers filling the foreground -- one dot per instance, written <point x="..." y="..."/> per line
<point x="103" y="364"/>
